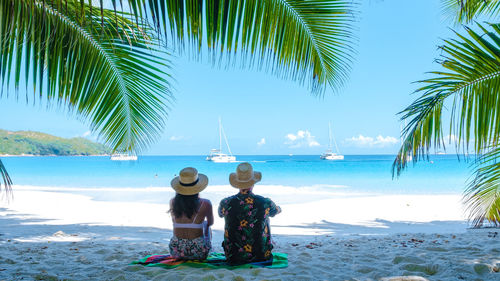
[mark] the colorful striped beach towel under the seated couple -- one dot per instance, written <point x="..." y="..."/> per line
<point x="214" y="260"/>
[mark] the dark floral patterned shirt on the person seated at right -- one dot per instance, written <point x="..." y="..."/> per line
<point x="247" y="235"/>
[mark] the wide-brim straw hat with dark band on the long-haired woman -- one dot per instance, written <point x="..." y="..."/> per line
<point x="189" y="182"/>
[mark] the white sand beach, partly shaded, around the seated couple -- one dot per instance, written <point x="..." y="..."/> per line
<point x="69" y="234"/>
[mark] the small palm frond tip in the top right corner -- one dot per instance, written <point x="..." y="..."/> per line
<point x="464" y="11"/>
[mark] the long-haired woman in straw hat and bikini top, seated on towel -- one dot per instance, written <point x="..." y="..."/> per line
<point x="192" y="235"/>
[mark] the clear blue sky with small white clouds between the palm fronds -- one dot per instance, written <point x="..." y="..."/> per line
<point x="262" y="114"/>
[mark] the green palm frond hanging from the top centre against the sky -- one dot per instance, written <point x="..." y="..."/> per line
<point x="309" y="41"/>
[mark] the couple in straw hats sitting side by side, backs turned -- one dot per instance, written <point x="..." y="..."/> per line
<point x="247" y="235"/>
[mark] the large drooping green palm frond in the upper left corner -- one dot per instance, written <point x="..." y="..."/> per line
<point x="98" y="62"/>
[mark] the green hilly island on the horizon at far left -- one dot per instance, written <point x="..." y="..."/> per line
<point x="28" y="143"/>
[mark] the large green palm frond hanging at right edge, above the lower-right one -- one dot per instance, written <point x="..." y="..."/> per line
<point x="471" y="76"/>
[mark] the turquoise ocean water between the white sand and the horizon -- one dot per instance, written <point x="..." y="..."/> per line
<point x="443" y="174"/>
